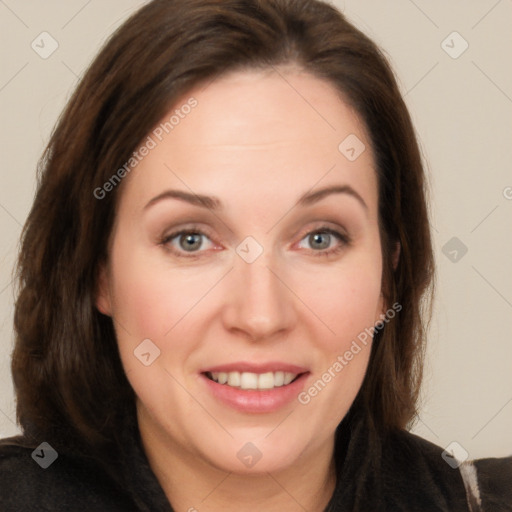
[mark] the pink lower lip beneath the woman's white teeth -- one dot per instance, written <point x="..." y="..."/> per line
<point x="254" y="401"/>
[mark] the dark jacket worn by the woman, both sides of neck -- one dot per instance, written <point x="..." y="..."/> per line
<point x="401" y="473"/>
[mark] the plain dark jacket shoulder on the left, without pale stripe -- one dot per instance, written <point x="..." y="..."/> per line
<point x="43" y="480"/>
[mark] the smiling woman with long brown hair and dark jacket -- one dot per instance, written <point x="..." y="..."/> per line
<point x="225" y="278"/>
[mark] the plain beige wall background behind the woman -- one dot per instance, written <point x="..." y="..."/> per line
<point x="462" y="109"/>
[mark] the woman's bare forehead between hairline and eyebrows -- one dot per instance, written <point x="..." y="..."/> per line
<point x="257" y="132"/>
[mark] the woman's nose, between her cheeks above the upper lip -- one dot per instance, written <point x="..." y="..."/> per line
<point x="259" y="303"/>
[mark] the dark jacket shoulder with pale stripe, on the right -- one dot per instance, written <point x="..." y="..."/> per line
<point x="424" y="471"/>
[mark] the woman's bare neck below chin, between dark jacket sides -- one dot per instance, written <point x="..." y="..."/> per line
<point x="192" y="484"/>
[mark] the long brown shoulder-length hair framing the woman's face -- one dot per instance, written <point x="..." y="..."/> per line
<point x="70" y="385"/>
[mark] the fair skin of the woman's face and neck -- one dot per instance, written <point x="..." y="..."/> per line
<point x="258" y="146"/>
